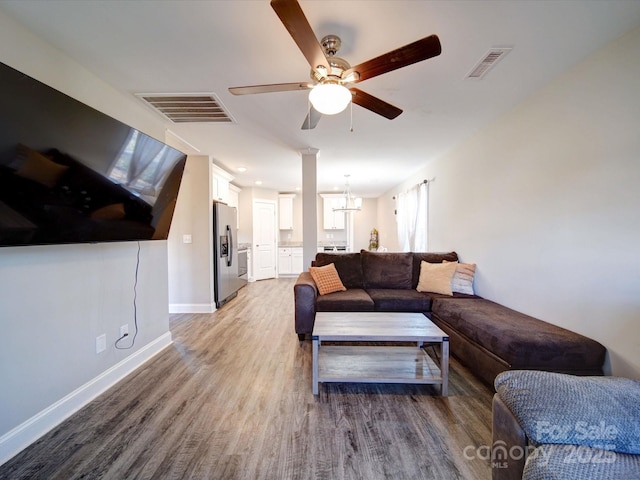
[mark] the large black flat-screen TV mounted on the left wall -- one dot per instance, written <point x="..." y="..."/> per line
<point x="71" y="174"/>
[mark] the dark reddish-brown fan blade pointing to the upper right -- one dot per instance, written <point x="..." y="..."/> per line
<point x="415" y="52"/>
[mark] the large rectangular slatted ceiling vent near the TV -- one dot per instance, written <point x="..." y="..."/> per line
<point x="188" y="107"/>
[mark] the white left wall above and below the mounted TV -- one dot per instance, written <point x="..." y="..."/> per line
<point x="55" y="300"/>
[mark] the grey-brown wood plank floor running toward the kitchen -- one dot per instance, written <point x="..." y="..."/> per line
<point x="231" y="399"/>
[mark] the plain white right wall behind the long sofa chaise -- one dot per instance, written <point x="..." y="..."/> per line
<point x="546" y="201"/>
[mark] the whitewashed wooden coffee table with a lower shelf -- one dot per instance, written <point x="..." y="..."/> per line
<point x="383" y="363"/>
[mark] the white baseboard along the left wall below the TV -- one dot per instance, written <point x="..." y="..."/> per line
<point x="17" y="439"/>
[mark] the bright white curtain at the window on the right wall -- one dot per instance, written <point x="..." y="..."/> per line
<point x="412" y="218"/>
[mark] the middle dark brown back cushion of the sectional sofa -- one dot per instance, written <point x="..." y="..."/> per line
<point x="386" y="269"/>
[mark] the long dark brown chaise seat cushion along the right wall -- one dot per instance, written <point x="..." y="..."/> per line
<point x="520" y="340"/>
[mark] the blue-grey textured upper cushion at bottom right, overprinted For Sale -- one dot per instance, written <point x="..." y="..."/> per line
<point x="599" y="412"/>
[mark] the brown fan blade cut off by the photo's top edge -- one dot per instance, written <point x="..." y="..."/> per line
<point x="292" y="16"/>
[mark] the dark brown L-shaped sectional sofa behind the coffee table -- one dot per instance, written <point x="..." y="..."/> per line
<point x="485" y="336"/>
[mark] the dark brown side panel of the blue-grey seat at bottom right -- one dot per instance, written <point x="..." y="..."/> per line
<point x="509" y="443"/>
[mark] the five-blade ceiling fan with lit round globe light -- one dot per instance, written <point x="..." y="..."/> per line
<point x="332" y="77"/>
